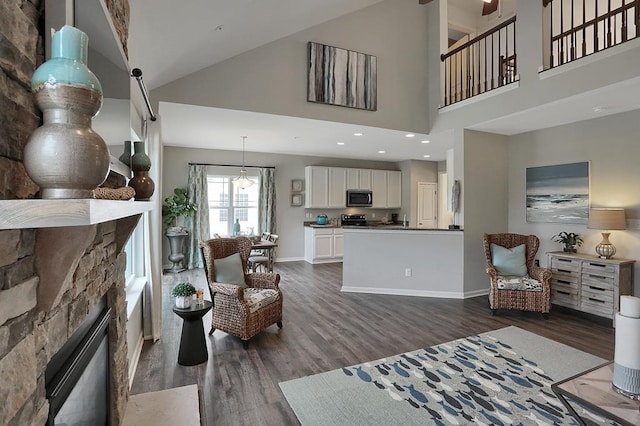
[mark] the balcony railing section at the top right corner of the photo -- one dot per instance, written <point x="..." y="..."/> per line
<point x="579" y="28"/>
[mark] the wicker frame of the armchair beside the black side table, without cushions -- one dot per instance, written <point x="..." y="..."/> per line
<point x="231" y="309"/>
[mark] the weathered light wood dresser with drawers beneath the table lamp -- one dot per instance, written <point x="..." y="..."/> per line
<point x="590" y="284"/>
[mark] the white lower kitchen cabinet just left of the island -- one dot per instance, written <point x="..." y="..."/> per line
<point x="323" y="245"/>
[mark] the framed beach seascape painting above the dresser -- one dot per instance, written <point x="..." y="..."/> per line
<point x="558" y="194"/>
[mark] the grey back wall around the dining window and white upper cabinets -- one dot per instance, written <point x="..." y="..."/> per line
<point x="290" y="219"/>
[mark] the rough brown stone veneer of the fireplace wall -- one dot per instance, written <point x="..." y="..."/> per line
<point x="28" y="336"/>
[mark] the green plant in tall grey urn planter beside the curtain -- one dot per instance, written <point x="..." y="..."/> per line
<point x="175" y="206"/>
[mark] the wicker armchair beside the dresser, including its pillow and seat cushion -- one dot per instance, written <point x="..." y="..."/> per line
<point x="516" y="283"/>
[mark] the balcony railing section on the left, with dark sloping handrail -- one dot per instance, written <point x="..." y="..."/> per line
<point x="484" y="63"/>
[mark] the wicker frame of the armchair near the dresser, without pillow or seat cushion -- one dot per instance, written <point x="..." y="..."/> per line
<point x="520" y="299"/>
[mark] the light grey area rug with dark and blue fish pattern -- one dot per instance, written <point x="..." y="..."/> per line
<point x="502" y="377"/>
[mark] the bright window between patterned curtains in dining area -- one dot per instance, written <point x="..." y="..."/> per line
<point x="228" y="202"/>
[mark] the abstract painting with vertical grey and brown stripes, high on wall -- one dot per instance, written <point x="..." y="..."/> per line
<point x="342" y="77"/>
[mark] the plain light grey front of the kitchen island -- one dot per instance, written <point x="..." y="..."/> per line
<point x="403" y="261"/>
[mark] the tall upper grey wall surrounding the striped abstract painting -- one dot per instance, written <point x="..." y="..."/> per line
<point x="273" y="78"/>
